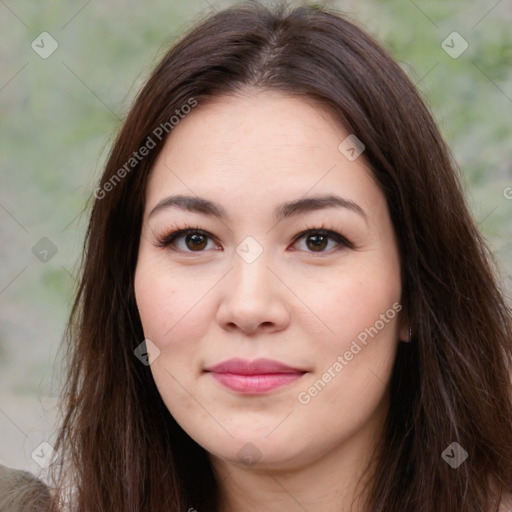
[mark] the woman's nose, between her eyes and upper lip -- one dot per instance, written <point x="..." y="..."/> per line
<point x="253" y="298"/>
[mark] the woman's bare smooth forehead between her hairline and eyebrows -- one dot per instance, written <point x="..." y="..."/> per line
<point x="259" y="145"/>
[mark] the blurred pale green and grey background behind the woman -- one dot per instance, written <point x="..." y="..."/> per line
<point x="58" y="117"/>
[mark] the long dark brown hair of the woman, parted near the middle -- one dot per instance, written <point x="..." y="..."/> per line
<point x="121" y="450"/>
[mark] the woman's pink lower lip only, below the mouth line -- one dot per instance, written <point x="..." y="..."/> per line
<point x="255" y="384"/>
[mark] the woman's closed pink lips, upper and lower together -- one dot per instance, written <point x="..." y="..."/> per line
<point x="254" y="377"/>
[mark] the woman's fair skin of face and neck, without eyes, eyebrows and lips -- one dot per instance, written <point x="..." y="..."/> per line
<point x="251" y="152"/>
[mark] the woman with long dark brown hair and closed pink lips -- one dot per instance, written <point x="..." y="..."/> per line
<point x="285" y="303"/>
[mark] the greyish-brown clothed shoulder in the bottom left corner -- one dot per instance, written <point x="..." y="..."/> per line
<point x="22" y="491"/>
